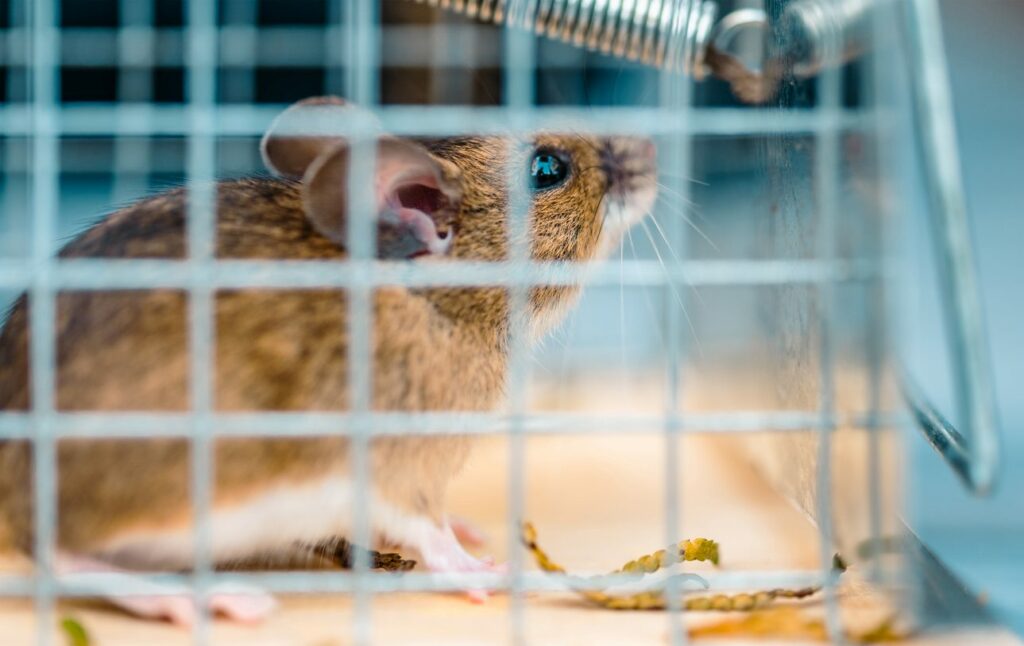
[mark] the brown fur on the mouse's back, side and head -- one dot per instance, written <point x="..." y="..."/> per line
<point x="434" y="350"/>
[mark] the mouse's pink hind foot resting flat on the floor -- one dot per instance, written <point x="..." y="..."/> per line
<point x="159" y="601"/>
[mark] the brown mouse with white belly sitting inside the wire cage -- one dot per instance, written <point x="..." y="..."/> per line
<point x="124" y="504"/>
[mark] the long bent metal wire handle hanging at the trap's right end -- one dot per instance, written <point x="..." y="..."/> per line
<point x="974" y="452"/>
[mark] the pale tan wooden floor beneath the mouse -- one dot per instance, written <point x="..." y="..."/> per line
<point x="598" y="502"/>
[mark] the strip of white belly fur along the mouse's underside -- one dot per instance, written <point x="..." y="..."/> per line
<point x="271" y="523"/>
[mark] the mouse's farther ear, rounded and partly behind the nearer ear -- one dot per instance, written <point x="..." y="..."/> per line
<point x="305" y="132"/>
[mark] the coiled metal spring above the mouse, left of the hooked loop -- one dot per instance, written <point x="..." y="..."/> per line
<point x="669" y="34"/>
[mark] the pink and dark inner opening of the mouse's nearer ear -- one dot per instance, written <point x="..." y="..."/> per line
<point x="418" y="220"/>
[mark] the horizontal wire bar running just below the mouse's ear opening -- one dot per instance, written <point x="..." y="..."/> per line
<point x="90" y="275"/>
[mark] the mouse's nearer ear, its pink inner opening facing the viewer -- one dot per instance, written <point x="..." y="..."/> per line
<point x="417" y="195"/>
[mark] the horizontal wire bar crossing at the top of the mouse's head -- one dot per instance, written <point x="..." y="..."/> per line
<point x="112" y="119"/>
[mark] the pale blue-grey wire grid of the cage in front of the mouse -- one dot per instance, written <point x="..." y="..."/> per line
<point x="201" y="119"/>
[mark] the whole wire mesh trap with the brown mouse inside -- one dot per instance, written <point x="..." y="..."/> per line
<point x="729" y="371"/>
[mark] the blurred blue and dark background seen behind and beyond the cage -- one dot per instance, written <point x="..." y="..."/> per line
<point x="273" y="54"/>
